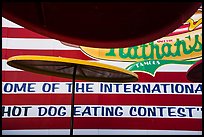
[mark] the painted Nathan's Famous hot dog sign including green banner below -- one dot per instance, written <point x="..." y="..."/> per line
<point x="183" y="46"/>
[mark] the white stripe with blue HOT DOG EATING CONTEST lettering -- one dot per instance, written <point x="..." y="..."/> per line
<point x="116" y="111"/>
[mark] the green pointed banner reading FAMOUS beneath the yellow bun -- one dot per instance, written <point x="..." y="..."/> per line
<point x="151" y="66"/>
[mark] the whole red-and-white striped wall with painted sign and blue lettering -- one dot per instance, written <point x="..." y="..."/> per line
<point x="163" y="101"/>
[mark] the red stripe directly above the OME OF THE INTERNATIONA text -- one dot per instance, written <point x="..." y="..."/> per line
<point x="22" y="76"/>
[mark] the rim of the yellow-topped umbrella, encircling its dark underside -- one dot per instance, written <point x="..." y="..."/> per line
<point x="11" y="62"/>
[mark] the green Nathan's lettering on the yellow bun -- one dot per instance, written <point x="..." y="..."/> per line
<point x="158" y="52"/>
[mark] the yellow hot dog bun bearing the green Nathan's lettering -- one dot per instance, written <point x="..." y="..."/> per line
<point x="178" y="47"/>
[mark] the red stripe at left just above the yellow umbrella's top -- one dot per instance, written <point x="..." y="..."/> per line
<point x="78" y="54"/>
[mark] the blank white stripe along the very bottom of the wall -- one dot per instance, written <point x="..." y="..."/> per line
<point x="99" y="132"/>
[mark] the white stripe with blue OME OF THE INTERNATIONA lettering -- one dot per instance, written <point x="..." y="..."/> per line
<point x="101" y="88"/>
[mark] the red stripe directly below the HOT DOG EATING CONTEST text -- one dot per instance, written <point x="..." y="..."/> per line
<point x="103" y="123"/>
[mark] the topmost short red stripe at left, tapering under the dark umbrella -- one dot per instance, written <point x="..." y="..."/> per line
<point x="20" y="33"/>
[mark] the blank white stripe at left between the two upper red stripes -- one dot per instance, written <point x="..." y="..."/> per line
<point x="37" y="44"/>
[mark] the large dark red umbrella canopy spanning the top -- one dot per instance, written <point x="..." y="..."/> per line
<point x="100" y="24"/>
